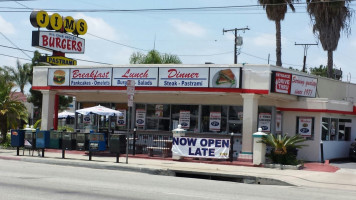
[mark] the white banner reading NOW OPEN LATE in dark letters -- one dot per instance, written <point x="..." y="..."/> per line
<point x="201" y="147"/>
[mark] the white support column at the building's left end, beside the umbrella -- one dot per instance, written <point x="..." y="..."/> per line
<point x="48" y="101"/>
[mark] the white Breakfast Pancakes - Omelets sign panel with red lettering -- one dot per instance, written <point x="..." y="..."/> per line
<point x="90" y="77"/>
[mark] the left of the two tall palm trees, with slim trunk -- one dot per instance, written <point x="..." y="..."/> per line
<point x="276" y="11"/>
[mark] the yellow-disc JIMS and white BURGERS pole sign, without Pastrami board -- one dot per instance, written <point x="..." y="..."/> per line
<point x="62" y="35"/>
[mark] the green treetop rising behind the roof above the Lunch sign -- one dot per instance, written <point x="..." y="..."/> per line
<point x="154" y="57"/>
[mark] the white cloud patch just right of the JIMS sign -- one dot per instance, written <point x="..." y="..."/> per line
<point x="98" y="27"/>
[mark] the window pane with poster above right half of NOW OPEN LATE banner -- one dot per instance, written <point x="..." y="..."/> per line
<point x="214" y="119"/>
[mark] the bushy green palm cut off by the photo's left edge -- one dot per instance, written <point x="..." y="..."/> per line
<point x="11" y="110"/>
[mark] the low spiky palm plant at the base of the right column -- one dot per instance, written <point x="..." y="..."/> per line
<point x="284" y="148"/>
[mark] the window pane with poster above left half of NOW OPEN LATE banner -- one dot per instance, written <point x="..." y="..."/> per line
<point x="186" y="115"/>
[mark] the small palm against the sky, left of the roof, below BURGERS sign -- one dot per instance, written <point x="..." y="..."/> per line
<point x="20" y="74"/>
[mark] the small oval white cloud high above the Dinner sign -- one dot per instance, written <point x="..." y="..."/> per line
<point x="188" y="27"/>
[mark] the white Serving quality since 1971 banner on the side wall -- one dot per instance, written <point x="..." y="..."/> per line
<point x="303" y="86"/>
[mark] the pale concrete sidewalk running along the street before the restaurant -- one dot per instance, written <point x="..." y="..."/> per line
<point x="344" y="179"/>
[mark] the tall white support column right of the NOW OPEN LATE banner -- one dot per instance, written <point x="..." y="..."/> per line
<point x="250" y="116"/>
